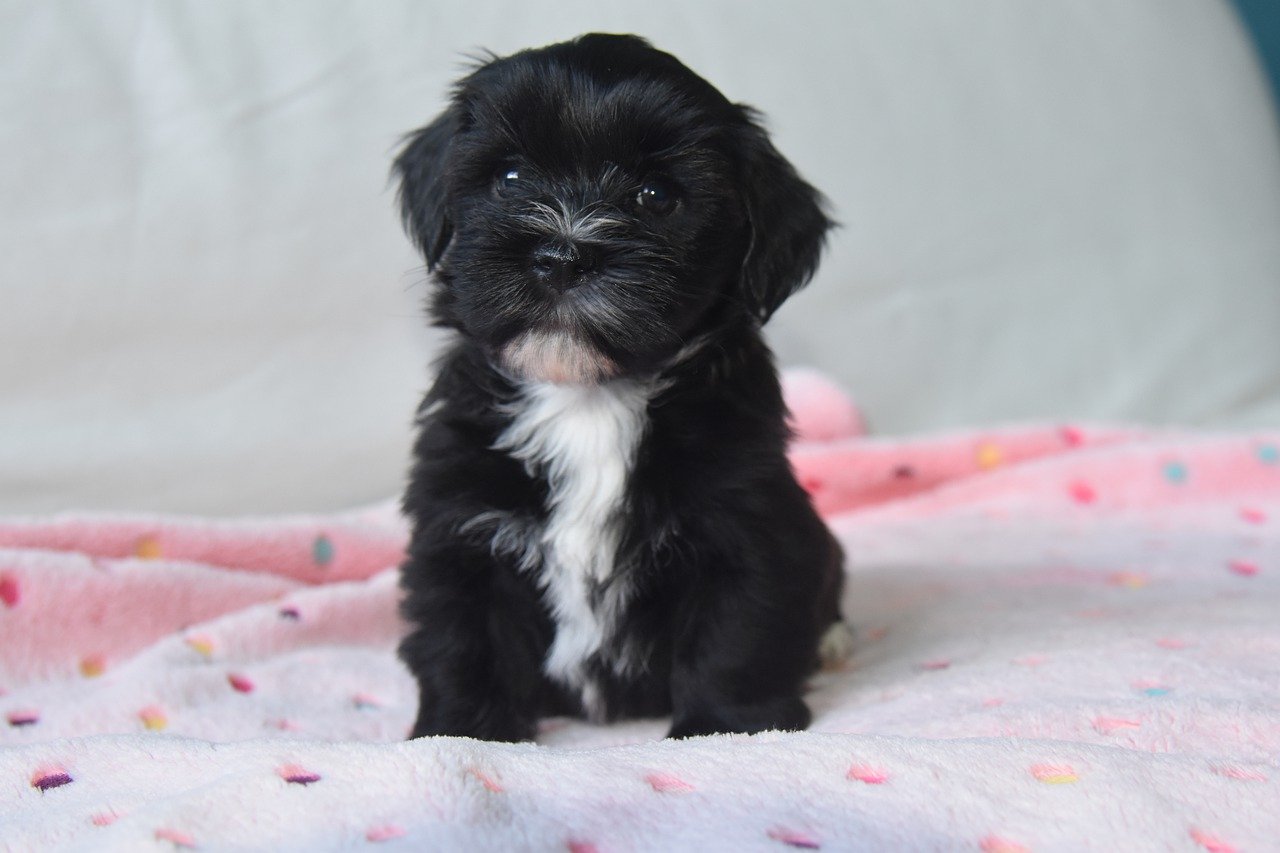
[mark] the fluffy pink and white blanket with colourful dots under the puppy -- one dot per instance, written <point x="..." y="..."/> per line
<point x="1068" y="640"/>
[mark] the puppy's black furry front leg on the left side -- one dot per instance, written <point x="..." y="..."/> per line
<point x="476" y="649"/>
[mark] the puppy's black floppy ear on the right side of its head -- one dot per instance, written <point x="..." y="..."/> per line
<point x="785" y="218"/>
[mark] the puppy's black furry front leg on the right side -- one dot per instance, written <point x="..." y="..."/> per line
<point x="739" y="667"/>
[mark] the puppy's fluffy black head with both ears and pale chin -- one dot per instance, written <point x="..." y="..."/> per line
<point x="592" y="207"/>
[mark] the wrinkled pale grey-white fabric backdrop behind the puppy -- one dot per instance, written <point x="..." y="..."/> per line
<point x="1050" y="211"/>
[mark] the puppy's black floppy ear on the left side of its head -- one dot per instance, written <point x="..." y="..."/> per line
<point x="420" y="168"/>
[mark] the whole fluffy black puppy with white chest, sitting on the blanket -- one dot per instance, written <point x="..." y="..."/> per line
<point x="605" y="519"/>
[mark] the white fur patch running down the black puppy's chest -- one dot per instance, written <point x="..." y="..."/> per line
<point x="583" y="440"/>
